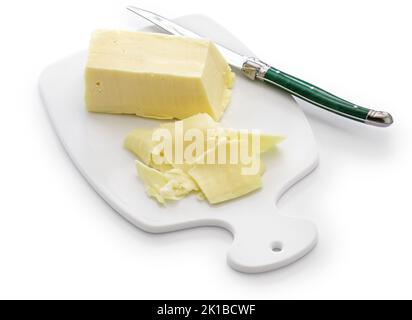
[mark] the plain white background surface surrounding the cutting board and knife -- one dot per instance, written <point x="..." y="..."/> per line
<point x="58" y="239"/>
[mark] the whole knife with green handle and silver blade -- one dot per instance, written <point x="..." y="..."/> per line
<point x="253" y="68"/>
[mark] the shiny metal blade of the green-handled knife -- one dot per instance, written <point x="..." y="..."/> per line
<point x="235" y="59"/>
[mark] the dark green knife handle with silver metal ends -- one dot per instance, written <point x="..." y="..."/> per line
<point x="255" y="69"/>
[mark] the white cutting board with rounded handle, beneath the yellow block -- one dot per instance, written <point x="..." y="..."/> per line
<point x="263" y="238"/>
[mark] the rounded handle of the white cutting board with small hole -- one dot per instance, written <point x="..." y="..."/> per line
<point x="270" y="241"/>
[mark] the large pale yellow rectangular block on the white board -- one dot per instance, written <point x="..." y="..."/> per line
<point x="155" y="75"/>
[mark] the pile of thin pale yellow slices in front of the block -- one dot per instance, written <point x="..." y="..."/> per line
<point x="214" y="182"/>
